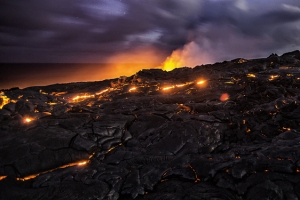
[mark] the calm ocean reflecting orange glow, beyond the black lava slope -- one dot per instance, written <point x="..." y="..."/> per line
<point x="39" y="74"/>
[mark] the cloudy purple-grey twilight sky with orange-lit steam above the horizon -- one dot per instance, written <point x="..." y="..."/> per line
<point x="146" y="31"/>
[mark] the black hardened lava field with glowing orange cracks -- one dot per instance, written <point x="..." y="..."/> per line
<point x="224" y="131"/>
